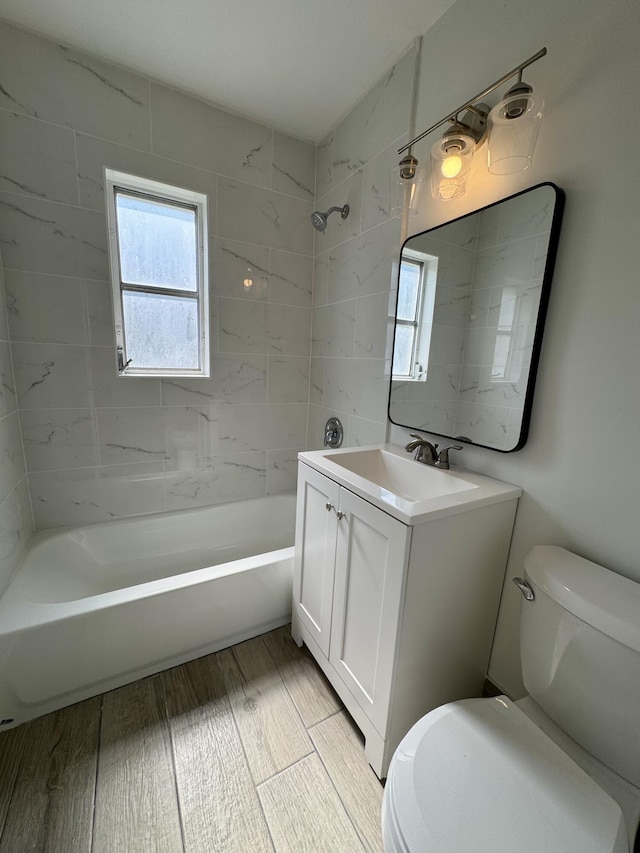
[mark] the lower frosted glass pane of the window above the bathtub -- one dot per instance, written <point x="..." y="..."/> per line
<point x="162" y="331"/>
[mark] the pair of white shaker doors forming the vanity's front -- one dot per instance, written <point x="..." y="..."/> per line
<point x="348" y="582"/>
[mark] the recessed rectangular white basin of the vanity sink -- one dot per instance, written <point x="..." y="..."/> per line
<point x="405" y="477"/>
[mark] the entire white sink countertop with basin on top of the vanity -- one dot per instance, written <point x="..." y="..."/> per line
<point x="412" y="492"/>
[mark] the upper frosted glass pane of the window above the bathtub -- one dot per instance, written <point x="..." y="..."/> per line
<point x="157" y="243"/>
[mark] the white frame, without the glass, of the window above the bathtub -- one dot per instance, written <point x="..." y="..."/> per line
<point x="159" y="192"/>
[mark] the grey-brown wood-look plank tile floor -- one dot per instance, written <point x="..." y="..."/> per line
<point x="244" y="751"/>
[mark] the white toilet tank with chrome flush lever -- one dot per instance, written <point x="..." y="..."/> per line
<point x="580" y="649"/>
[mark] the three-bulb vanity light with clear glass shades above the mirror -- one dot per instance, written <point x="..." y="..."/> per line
<point x="511" y="126"/>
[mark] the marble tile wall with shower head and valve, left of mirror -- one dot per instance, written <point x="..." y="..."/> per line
<point x="355" y="264"/>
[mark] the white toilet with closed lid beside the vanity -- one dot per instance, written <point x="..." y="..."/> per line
<point x="557" y="771"/>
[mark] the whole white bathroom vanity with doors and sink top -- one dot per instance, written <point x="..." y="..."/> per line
<point x="397" y="579"/>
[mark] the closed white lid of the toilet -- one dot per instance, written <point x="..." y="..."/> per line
<point x="479" y="775"/>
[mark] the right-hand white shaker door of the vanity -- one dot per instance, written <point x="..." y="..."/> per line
<point x="371" y="558"/>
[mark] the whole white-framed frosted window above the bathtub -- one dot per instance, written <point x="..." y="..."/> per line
<point x="158" y="253"/>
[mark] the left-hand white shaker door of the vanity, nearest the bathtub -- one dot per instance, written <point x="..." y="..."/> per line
<point x="316" y="520"/>
